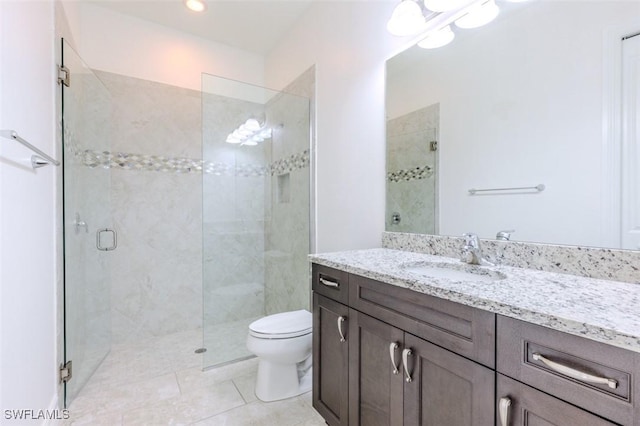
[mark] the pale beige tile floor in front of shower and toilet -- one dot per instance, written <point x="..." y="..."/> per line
<point x="160" y="382"/>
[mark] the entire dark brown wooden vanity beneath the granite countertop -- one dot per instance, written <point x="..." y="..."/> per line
<point x="387" y="355"/>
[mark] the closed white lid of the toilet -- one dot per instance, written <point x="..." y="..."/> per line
<point x="283" y="325"/>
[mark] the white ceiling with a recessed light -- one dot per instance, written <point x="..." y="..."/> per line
<point x="252" y="25"/>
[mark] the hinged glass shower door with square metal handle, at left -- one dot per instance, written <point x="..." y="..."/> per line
<point x="88" y="236"/>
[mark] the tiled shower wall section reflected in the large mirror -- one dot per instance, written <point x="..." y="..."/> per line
<point x="411" y="171"/>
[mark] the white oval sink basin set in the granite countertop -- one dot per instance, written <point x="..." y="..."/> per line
<point x="449" y="271"/>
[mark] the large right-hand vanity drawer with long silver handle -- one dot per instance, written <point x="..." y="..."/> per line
<point x="598" y="377"/>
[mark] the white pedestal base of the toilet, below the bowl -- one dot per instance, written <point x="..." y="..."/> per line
<point x="280" y="381"/>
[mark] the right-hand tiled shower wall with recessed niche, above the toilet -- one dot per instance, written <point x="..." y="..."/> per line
<point x="287" y="228"/>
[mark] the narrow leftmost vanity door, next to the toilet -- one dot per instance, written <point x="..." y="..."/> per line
<point x="330" y="360"/>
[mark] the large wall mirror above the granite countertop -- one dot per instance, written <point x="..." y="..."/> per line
<point x="545" y="99"/>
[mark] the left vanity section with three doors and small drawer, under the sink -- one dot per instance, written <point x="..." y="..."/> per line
<point x="394" y="376"/>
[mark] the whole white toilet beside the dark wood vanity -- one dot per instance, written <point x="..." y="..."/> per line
<point x="282" y="343"/>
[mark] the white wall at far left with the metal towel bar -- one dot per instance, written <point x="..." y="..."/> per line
<point x="27" y="209"/>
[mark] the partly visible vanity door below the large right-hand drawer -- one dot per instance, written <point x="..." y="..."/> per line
<point x="521" y="405"/>
